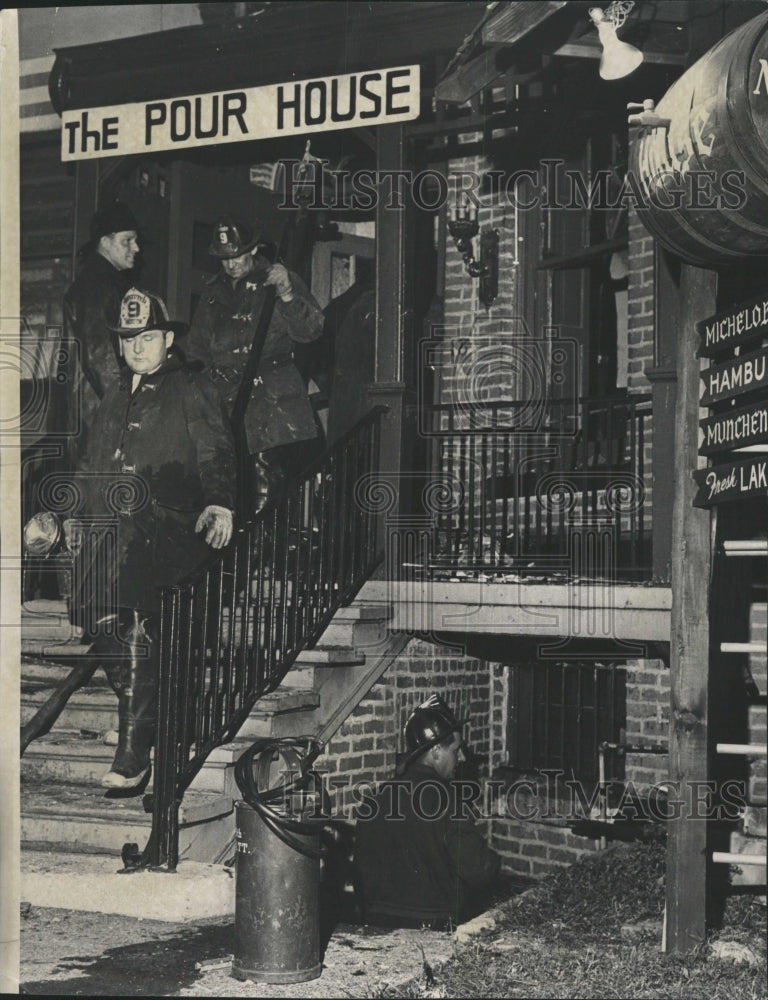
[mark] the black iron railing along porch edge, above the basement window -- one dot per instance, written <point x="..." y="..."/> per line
<point x="564" y="494"/>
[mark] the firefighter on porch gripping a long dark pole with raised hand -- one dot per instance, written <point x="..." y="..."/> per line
<point x="280" y="427"/>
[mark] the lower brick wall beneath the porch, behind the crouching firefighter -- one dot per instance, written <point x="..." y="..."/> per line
<point x="366" y="746"/>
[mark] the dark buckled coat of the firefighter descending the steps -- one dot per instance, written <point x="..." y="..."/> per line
<point x="157" y="457"/>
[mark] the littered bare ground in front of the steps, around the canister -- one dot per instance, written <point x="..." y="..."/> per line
<point x="71" y="953"/>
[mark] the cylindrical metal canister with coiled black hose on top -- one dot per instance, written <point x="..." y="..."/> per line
<point x="277" y="913"/>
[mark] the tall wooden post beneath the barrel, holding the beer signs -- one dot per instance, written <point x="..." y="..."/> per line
<point x="686" y="880"/>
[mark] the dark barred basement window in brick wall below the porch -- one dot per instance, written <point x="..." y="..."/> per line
<point x="559" y="713"/>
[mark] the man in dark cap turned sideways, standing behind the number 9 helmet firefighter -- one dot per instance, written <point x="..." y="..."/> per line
<point x="94" y="297"/>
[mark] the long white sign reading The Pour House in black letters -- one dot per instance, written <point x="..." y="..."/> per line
<point x="372" y="97"/>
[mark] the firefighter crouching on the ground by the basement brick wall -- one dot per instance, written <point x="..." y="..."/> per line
<point x="420" y="856"/>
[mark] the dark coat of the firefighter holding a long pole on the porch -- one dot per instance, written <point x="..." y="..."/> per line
<point x="279" y="411"/>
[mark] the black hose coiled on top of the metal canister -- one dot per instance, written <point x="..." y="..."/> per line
<point x="305" y="751"/>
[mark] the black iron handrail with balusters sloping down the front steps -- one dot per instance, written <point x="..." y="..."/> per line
<point x="231" y="633"/>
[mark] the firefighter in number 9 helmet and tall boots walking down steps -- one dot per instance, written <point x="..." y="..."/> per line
<point x="163" y="427"/>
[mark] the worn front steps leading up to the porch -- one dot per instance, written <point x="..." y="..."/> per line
<point x="63" y="806"/>
